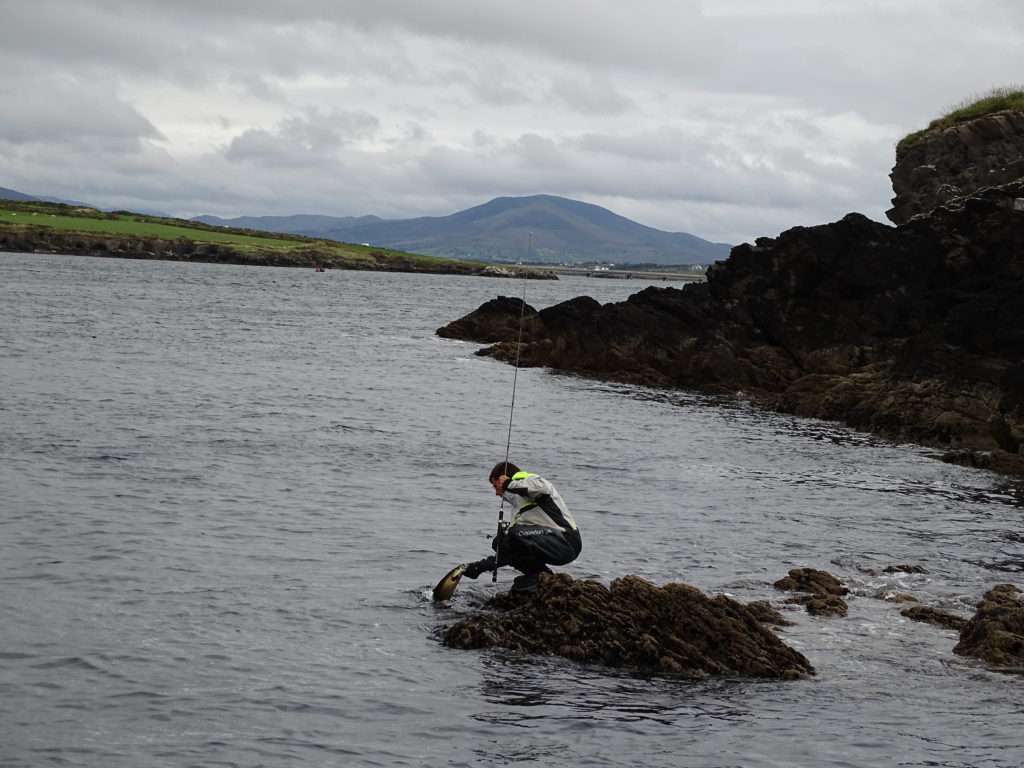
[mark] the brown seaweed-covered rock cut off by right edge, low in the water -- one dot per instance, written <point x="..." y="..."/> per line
<point x="996" y="634"/>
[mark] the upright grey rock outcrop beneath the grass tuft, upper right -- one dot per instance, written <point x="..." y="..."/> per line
<point x="957" y="162"/>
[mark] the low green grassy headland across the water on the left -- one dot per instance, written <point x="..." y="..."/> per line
<point x="50" y="228"/>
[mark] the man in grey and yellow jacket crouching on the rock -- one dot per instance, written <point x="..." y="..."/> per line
<point x="542" y="532"/>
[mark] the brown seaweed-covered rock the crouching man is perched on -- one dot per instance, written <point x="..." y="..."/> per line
<point x="632" y="625"/>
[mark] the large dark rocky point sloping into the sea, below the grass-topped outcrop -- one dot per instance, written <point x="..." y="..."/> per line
<point x="916" y="333"/>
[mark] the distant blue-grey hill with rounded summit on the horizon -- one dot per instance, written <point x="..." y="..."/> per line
<point x="564" y="231"/>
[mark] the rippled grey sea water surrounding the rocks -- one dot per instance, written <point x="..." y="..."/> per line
<point x="228" y="491"/>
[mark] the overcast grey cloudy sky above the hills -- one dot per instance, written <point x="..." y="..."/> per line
<point x="729" y="119"/>
